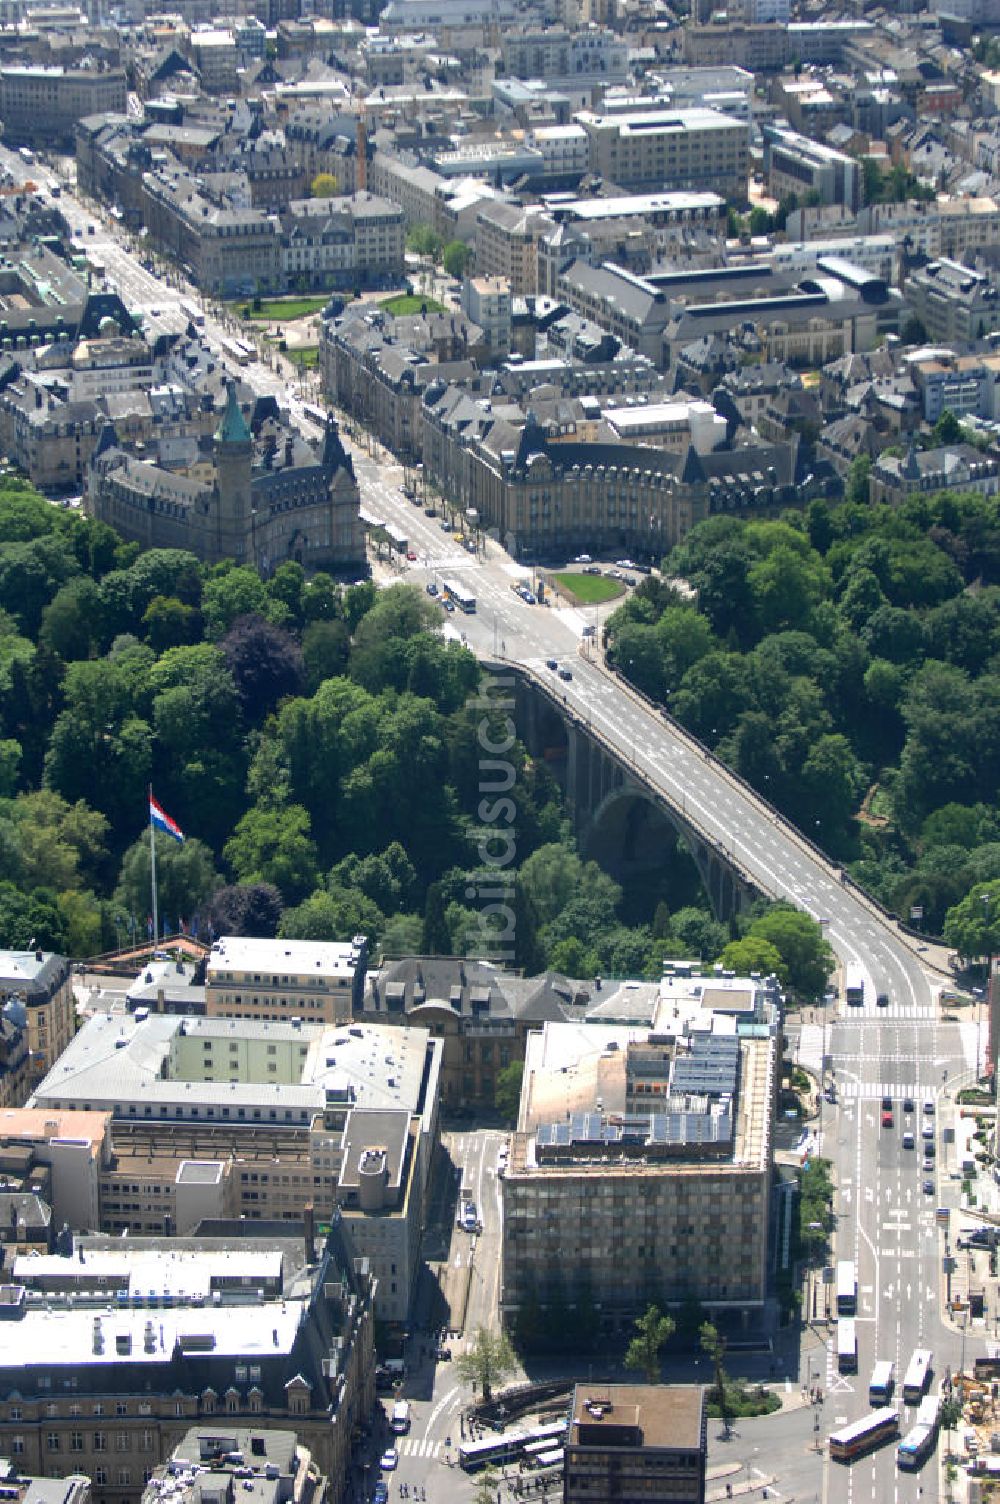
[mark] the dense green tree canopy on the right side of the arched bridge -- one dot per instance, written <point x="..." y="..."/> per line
<point x="846" y="661"/>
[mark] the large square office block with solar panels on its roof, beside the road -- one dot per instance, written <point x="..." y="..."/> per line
<point x="641" y="1168"/>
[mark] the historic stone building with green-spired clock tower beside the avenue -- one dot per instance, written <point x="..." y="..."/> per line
<point x="255" y="500"/>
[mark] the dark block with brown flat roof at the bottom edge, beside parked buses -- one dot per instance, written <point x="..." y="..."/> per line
<point x="637" y="1442"/>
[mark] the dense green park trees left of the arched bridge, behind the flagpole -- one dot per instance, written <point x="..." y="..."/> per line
<point x="317" y="747"/>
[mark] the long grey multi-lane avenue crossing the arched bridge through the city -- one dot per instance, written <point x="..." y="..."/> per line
<point x="883" y="1219"/>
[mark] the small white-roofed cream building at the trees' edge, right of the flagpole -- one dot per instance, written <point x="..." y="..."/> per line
<point x="315" y="981"/>
